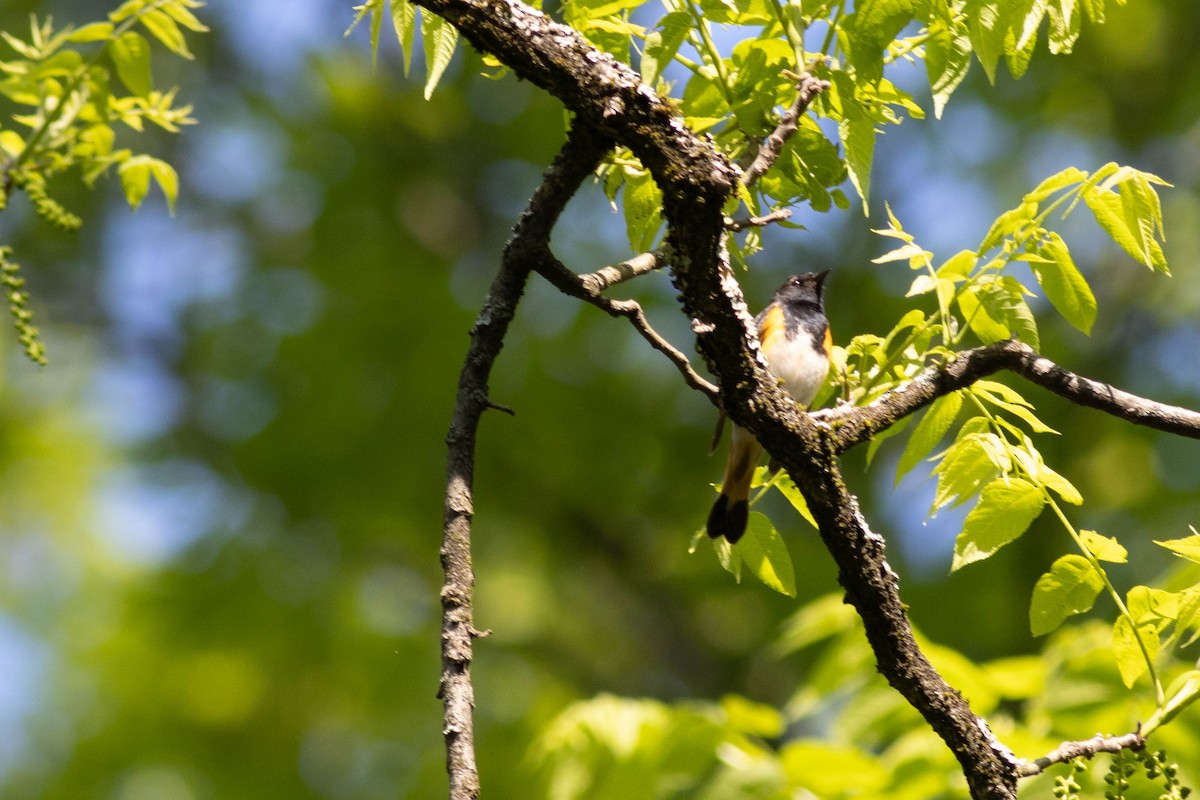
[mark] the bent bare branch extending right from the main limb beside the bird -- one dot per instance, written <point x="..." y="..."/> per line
<point x="853" y="426"/>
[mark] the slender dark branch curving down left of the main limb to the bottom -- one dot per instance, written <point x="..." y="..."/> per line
<point x="529" y="246"/>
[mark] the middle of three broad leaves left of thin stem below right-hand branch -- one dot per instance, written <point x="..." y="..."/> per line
<point x="1005" y="512"/>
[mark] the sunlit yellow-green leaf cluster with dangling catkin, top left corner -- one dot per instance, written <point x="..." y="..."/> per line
<point x="68" y="89"/>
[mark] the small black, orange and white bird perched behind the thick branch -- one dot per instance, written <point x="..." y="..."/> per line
<point x="795" y="336"/>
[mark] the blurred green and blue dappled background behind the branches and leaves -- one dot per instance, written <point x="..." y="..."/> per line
<point x="220" y="504"/>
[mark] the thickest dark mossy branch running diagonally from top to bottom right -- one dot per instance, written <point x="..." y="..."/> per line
<point x="695" y="182"/>
